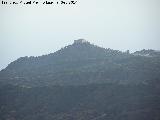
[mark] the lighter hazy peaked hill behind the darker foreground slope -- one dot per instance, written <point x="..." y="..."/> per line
<point x="83" y="63"/>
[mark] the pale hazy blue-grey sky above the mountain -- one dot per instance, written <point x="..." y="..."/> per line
<point x="118" y="24"/>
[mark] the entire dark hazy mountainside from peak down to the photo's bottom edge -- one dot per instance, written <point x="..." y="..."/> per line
<point x="82" y="81"/>
